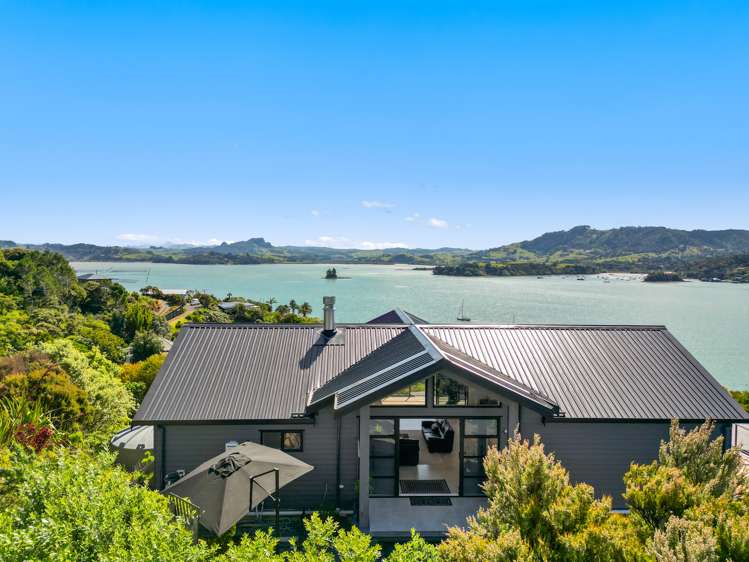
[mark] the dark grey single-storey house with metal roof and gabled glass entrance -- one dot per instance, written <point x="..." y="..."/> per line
<point x="410" y="408"/>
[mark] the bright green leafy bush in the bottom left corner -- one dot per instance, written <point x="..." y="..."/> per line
<point x="69" y="505"/>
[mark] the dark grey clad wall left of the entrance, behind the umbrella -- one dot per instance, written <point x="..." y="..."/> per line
<point x="187" y="446"/>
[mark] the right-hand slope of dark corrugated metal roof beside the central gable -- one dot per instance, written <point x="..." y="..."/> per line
<point x="598" y="372"/>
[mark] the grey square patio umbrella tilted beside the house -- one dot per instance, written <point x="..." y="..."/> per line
<point x="229" y="485"/>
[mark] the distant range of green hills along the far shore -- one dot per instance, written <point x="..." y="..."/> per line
<point x="579" y="250"/>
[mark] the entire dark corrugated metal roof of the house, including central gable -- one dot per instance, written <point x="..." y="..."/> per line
<point x="220" y="372"/>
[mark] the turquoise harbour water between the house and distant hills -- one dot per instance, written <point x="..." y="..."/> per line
<point x="710" y="319"/>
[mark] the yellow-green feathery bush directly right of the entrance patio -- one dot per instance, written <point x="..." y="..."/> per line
<point x="534" y="510"/>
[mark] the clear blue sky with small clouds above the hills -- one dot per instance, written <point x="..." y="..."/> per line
<point x="362" y="124"/>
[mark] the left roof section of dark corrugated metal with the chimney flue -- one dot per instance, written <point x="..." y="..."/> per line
<point x="237" y="372"/>
